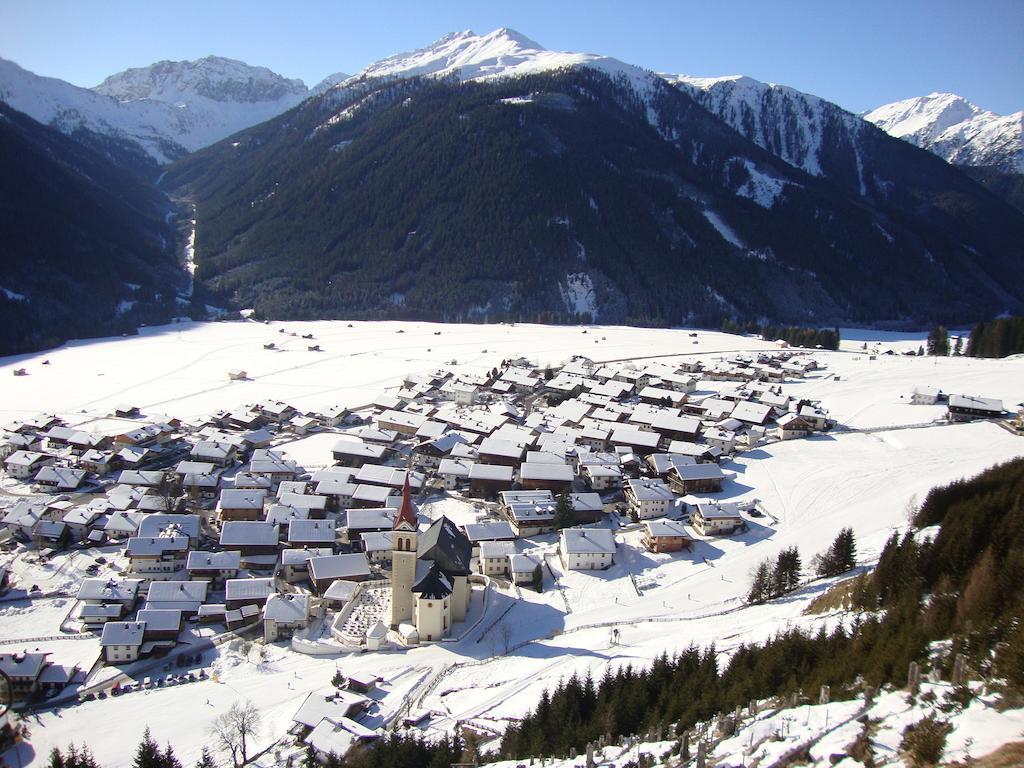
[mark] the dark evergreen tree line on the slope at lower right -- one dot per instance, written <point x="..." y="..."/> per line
<point x="970" y="572"/>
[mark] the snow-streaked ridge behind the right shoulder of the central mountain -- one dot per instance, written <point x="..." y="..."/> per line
<point x="795" y="126"/>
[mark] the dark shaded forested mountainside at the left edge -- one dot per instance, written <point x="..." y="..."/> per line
<point x="89" y="248"/>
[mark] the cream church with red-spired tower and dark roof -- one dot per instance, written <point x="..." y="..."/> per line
<point x="430" y="575"/>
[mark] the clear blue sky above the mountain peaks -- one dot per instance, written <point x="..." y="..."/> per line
<point x="860" y="54"/>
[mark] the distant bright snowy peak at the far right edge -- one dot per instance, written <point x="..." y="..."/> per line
<point x="957" y="131"/>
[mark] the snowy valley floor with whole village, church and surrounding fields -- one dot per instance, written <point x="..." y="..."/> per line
<point x="375" y="528"/>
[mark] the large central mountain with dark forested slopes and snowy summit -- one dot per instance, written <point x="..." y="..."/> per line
<point x="516" y="183"/>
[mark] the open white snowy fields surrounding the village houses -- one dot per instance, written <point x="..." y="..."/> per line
<point x="810" y="489"/>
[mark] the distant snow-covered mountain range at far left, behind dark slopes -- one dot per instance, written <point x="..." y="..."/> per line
<point x="162" y="112"/>
